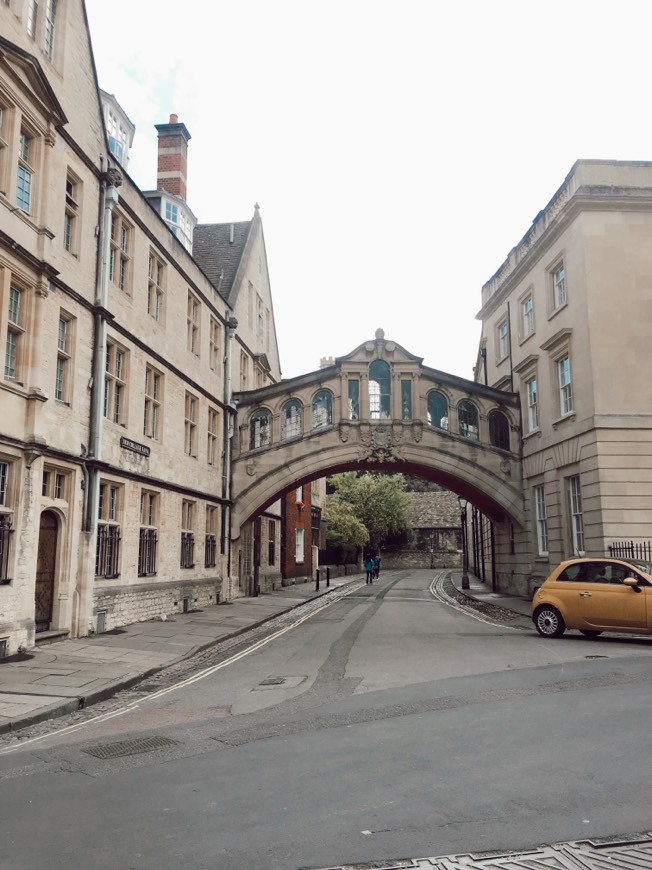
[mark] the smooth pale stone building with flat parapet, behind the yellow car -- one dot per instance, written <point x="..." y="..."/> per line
<point x="566" y="324"/>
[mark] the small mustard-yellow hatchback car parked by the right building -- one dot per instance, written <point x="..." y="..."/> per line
<point x="594" y="595"/>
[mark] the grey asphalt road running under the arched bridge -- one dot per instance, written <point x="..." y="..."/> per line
<point x="384" y="725"/>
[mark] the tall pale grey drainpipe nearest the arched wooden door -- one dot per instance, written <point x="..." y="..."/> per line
<point x="111" y="180"/>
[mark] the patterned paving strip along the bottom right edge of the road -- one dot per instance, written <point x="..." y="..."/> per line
<point x="629" y="852"/>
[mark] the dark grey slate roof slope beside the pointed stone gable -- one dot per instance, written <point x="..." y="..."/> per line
<point x="216" y="255"/>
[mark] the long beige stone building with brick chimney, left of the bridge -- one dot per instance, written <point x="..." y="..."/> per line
<point x="122" y="342"/>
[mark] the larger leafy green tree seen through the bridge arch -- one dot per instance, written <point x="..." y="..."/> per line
<point x="378" y="501"/>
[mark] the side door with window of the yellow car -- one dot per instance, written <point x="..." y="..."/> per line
<point x="607" y="604"/>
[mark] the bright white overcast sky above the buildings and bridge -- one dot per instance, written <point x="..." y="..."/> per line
<point x="398" y="150"/>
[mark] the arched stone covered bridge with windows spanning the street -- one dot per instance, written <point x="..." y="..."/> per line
<point x="378" y="409"/>
